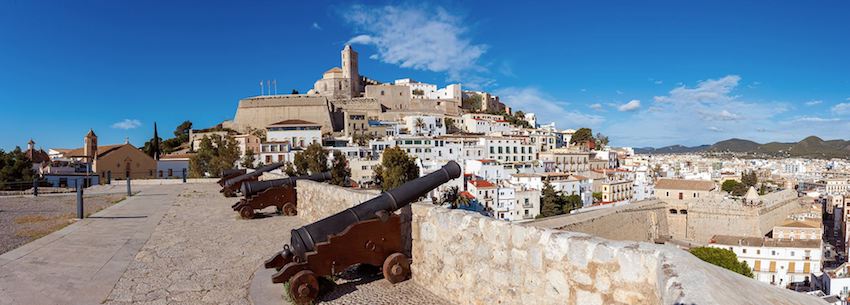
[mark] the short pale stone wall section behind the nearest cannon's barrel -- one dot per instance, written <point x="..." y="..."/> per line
<point x="317" y="200"/>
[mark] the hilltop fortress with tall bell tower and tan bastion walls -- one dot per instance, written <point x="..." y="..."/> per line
<point x="341" y="91"/>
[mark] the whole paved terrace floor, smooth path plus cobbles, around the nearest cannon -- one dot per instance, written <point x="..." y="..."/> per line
<point x="183" y="245"/>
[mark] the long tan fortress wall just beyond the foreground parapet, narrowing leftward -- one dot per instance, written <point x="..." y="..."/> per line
<point x="640" y="221"/>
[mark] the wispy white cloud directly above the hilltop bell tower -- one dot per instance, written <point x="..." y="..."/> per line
<point x="417" y="38"/>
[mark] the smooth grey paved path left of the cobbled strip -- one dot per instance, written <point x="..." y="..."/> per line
<point x="81" y="263"/>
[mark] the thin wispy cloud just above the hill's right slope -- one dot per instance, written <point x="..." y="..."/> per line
<point x="547" y="108"/>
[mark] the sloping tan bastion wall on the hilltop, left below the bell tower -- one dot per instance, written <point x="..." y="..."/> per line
<point x="259" y="112"/>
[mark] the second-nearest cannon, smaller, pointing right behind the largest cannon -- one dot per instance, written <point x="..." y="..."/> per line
<point x="279" y="193"/>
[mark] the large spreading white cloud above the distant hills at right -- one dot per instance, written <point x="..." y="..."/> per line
<point x="686" y="113"/>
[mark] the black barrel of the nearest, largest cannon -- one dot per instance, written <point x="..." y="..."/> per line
<point x="304" y="239"/>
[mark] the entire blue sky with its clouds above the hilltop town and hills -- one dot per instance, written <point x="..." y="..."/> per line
<point x="645" y="74"/>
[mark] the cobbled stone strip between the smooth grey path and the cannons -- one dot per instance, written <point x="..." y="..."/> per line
<point x="201" y="253"/>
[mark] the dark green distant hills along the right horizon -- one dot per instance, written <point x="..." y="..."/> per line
<point x="810" y="147"/>
